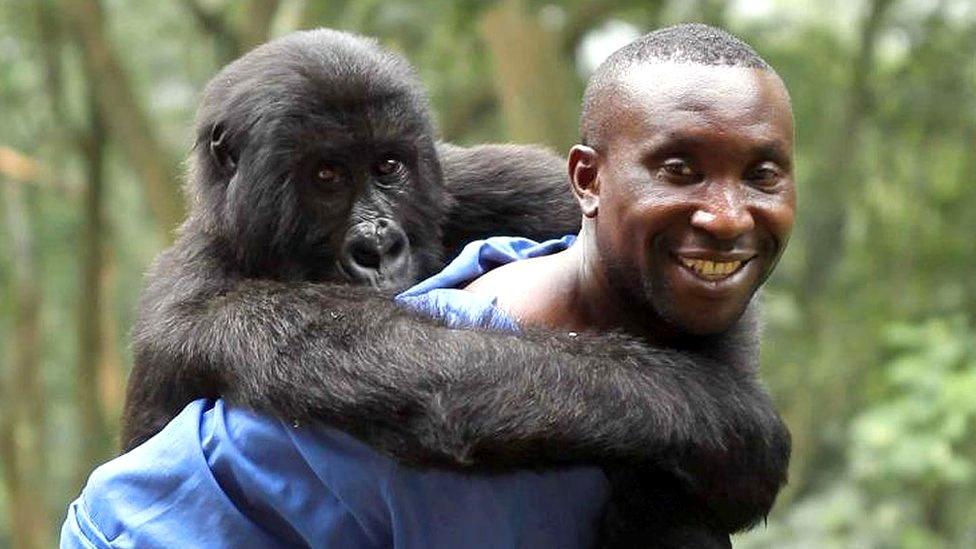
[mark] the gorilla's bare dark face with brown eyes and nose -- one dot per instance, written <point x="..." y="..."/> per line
<point x="371" y="200"/>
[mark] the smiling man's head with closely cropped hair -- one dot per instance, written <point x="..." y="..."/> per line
<point x="685" y="176"/>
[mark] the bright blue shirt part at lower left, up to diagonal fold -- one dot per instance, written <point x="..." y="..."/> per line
<point x="161" y="494"/>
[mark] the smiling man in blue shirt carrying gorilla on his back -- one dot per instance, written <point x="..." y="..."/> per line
<point x="685" y="182"/>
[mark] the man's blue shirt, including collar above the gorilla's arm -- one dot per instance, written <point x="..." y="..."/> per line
<point x="221" y="476"/>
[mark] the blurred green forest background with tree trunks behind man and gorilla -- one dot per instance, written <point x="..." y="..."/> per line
<point x="870" y="340"/>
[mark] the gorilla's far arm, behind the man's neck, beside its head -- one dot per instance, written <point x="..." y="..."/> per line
<point x="505" y="190"/>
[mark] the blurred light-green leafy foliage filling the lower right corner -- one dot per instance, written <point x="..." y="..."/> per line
<point x="909" y="471"/>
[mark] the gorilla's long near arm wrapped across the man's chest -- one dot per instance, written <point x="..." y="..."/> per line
<point x="432" y="395"/>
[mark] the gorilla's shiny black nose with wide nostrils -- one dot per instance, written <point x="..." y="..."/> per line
<point x="375" y="250"/>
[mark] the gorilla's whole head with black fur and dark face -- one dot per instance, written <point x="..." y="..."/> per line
<point x="315" y="159"/>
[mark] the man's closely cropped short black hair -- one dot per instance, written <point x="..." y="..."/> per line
<point x="693" y="43"/>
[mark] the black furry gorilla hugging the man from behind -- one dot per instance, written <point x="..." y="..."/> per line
<point x="317" y="189"/>
